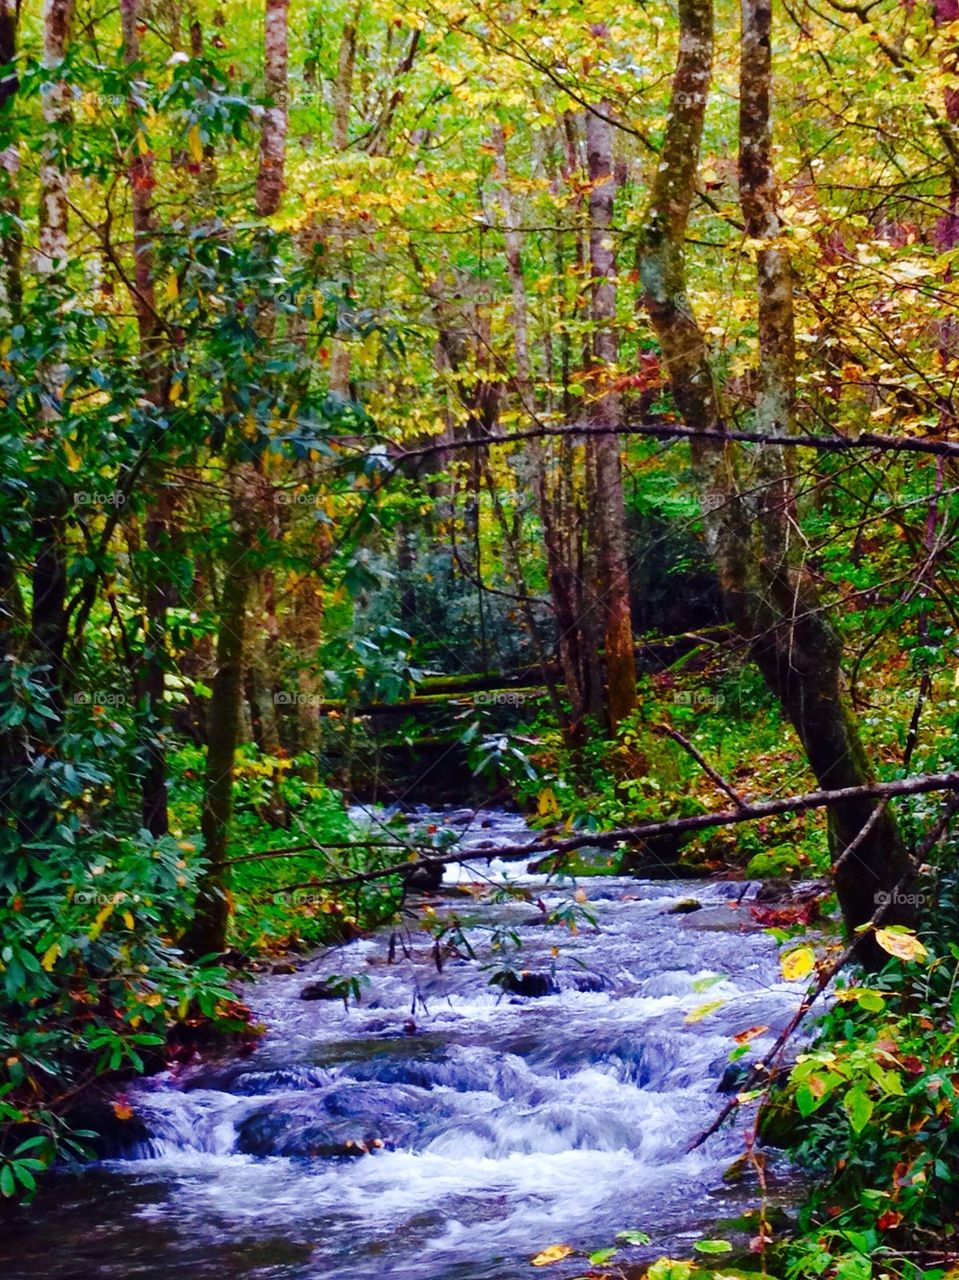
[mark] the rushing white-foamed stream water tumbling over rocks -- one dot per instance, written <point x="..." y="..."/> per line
<point x="495" y="1123"/>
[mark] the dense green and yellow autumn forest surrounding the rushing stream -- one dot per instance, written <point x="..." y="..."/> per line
<point x="462" y="400"/>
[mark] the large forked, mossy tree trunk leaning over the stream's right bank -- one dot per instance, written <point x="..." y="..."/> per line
<point x="769" y="592"/>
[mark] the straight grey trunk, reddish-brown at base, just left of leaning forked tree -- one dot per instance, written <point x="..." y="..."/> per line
<point x="606" y="412"/>
